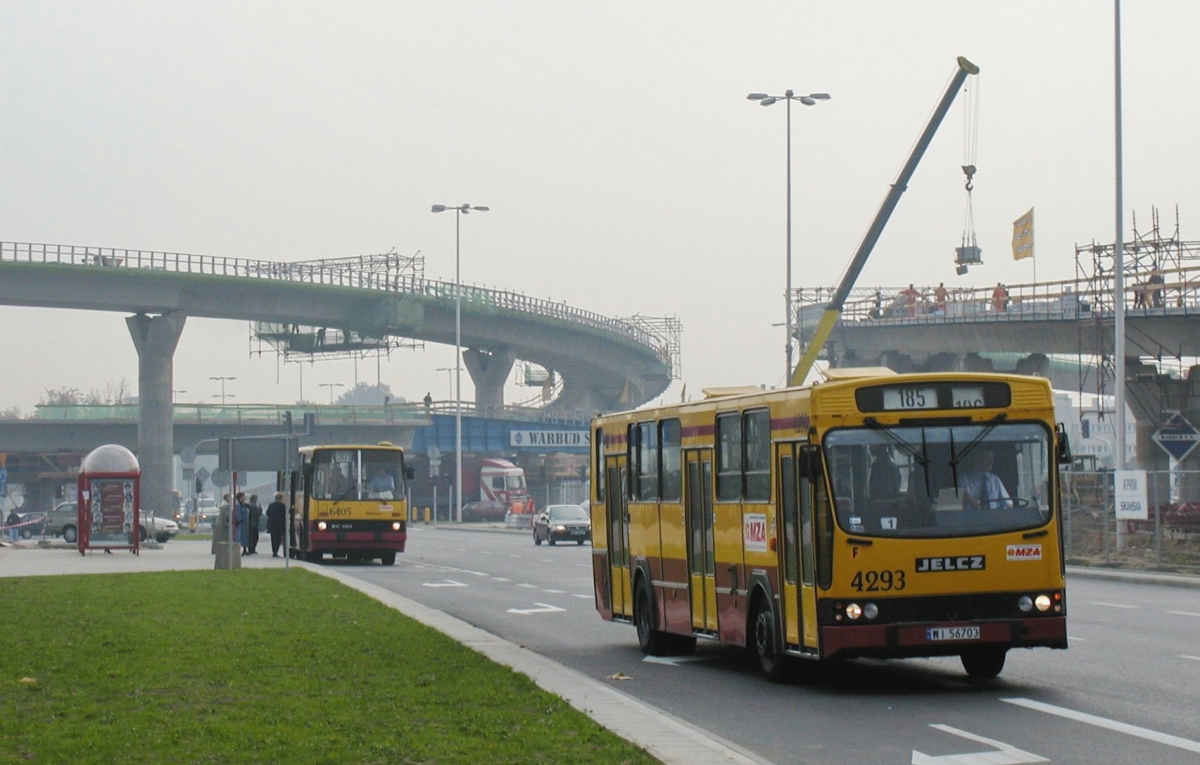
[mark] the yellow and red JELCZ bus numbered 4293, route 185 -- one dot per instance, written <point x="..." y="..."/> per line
<point x="872" y="515"/>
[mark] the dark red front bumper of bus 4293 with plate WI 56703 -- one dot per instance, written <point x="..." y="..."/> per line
<point x="911" y="640"/>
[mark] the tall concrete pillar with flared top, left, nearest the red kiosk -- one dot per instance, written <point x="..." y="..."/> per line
<point x="155" y="339"/>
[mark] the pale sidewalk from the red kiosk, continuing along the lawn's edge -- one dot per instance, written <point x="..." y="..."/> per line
<point x="670" y="739"/>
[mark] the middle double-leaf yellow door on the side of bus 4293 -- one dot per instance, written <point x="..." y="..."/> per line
<point x="701" y="567"/>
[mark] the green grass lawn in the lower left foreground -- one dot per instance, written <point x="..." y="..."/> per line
<point x="260" y="666"/>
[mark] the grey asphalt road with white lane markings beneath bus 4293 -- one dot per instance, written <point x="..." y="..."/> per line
<point x="1129" y="690"/>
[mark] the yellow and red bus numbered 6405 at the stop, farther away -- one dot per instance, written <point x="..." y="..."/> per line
<point x="351" y="503"/>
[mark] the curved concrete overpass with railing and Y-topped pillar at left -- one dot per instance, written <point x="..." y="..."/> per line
<point x="604" y="363"/>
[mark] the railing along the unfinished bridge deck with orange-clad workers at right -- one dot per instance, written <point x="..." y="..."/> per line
<point x="1177" y="293"/>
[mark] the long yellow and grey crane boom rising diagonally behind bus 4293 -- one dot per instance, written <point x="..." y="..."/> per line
<point x="965" y="69"/>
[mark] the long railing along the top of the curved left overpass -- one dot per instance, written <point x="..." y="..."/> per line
<point x="333" y="273"/>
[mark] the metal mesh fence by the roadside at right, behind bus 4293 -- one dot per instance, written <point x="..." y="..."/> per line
<point x="1168" y="541"/>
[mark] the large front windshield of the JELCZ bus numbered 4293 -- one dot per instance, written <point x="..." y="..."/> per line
<point x="940" y="481"/>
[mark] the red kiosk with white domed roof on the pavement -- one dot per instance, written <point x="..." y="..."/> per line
<point x="109" y="501"/>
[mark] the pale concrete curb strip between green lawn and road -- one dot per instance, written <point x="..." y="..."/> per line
<point x="665" y="737"/>
